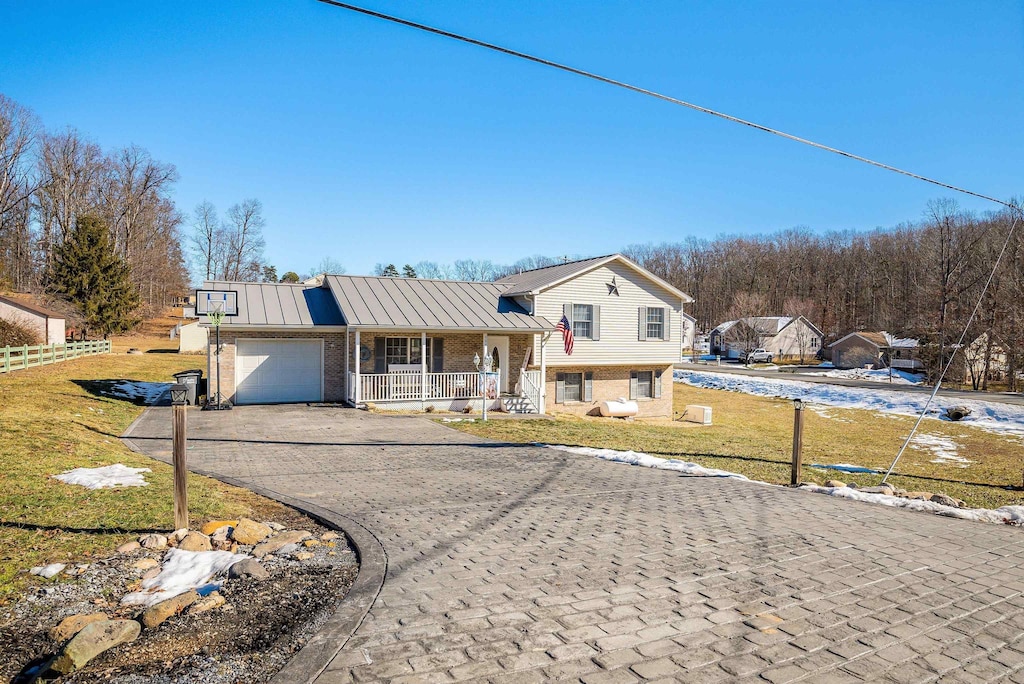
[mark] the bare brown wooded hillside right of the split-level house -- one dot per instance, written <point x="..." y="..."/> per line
<point x="919" y="280"/>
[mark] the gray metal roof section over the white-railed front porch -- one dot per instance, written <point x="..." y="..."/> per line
<point x="426" y="305"/>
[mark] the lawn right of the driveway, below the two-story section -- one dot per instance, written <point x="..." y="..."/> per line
<point x="754" y="437"/>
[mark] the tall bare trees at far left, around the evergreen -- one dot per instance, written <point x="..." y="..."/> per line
<point x="52" y="180"/>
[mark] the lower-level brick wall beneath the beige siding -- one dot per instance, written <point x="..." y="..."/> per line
<point x="612" y="382"/>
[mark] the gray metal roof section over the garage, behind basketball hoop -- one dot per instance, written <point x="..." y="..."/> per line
<point x="280" y="305"/>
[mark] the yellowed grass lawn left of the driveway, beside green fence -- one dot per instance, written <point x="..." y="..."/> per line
<point x="56" y="418"/>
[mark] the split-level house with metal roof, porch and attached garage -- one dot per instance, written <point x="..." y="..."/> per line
<point x="410" y="344"/>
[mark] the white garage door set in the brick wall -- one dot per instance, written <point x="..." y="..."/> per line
<point x="279" y="371"/>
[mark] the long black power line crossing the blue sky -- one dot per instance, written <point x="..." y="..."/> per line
<point x="658" y="96"/>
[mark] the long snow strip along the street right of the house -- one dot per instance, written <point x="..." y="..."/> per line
<point x="999" y="418"/>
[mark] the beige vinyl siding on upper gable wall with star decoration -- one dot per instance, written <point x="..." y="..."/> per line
<point x="619" y="344"/>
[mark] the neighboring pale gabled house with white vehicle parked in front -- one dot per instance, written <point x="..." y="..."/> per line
<point x="787" y="338"/>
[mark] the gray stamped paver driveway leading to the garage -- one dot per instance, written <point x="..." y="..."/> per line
<point x="525" y="565"/>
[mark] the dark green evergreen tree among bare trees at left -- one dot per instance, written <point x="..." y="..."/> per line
<point x="91" y="275"/>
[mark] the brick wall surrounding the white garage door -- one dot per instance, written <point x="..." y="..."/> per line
<point x="334" y="359"/>
